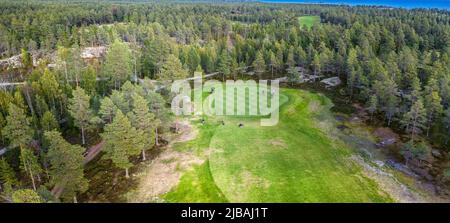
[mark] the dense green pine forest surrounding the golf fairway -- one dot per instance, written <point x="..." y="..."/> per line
<point x="57" y="107"/>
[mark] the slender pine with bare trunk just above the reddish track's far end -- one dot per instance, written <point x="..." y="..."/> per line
<point x="79" y="109"/>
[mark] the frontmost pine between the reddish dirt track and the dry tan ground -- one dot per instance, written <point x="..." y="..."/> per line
<point x="122" y="141"/>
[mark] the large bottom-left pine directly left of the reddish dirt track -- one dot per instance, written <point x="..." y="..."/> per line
<point x="66" y="162"/>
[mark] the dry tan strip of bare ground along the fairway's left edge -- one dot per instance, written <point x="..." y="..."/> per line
<point x="164" y="172"/>
